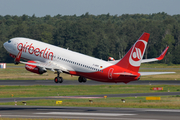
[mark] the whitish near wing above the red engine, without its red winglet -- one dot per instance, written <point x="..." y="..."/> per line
<point x="47" y="65"/>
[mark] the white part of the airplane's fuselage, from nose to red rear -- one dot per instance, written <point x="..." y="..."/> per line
<point x="40" y="51"/>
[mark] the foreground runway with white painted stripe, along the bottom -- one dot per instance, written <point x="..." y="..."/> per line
<point x="88" y="113"/>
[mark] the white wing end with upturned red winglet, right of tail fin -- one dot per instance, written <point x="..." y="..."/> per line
<point x="156" y="59"/>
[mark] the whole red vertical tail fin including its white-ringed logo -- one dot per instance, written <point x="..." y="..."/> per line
<point x="132" y="59"/>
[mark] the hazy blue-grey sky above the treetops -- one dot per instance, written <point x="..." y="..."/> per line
<point x="95" y="7"/>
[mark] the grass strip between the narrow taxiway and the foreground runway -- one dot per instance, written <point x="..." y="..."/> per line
<point x="166" y="102"/>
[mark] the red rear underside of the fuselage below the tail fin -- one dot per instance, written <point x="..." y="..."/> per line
<point x="107" y="75"/>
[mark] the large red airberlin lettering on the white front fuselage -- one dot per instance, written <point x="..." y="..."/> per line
<point x="36" y="51"/>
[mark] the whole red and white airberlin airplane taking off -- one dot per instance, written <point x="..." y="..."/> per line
<point x="41" y="57"/>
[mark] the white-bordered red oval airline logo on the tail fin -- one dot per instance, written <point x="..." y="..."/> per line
<point x="137" y="53"/>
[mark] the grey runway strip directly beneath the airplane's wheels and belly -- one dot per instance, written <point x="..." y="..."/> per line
<point x="89" y="82"/>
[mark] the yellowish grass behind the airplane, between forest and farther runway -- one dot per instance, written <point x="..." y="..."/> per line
<point x="20" y="73"/>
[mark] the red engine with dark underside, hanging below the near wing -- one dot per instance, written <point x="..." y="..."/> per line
<point x="34" y="68"/>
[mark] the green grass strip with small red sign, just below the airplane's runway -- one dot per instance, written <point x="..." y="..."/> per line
<point x="79" y="90"/>
